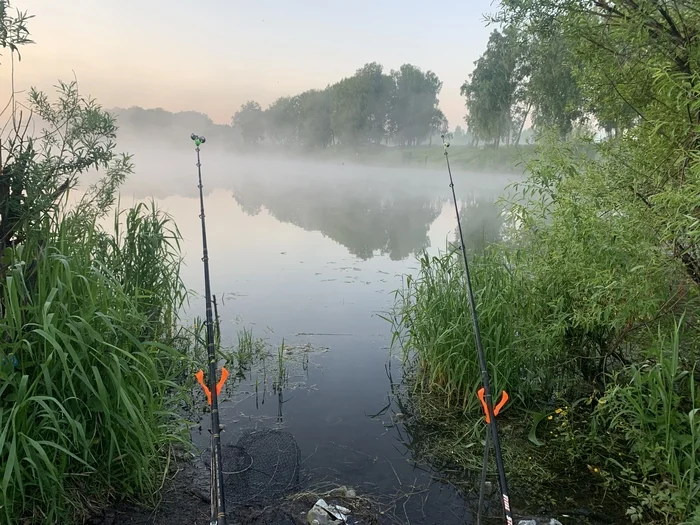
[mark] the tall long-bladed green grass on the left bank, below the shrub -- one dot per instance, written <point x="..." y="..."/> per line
<point x="88" y="315"/>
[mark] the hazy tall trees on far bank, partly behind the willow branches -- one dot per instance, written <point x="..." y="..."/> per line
<point x="531" y="72"/>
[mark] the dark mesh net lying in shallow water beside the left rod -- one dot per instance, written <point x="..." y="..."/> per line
<point x="261" y="467"/>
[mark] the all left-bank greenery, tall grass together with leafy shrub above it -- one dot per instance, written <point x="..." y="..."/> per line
<point x="90" y="358"/>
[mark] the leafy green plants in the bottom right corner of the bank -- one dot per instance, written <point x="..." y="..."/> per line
<point x="651" y="415"/>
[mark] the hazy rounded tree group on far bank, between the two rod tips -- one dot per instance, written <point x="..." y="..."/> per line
<point x="370" y="107"/>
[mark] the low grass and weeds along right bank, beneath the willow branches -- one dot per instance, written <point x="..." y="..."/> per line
<point x="637" y="437"/>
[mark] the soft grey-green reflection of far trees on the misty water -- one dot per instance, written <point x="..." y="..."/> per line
<point x="369" y="219"/>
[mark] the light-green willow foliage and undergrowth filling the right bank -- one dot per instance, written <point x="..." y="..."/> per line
<point x="605" y="237"/>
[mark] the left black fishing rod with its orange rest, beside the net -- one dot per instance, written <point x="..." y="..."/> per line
<point x="218" y="505"/>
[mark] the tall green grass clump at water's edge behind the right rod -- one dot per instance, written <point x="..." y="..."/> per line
<point x="434" y="324"/>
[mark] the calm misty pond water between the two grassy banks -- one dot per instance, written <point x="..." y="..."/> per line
<point x="311" y="255"/>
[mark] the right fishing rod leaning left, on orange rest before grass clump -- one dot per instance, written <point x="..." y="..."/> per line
<point x="485" y="392"/>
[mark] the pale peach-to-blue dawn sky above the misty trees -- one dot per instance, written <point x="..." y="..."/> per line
<point x="211" y="56"/>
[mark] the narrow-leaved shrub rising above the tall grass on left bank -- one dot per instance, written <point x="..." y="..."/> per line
<point x="76" y="136"/>
